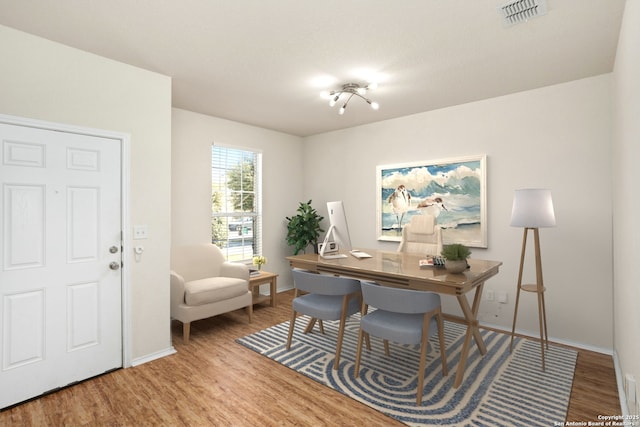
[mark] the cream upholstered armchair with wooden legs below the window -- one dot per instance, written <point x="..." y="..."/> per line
<point x="204" y="284"/>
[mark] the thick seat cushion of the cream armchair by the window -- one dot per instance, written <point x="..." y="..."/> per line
<point x="213" y="289"/>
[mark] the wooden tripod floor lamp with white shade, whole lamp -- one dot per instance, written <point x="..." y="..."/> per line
<point x="533" y="209"/>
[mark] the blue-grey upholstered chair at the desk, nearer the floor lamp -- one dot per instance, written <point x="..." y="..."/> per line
<point x="403" y="316"/>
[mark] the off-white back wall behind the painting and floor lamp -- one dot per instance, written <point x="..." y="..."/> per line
<point x="557" y="137"/>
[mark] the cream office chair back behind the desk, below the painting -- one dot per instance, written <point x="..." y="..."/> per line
<point x="421" y="235"/>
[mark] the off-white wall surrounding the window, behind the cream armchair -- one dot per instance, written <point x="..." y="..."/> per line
<point x="282" y="172"/>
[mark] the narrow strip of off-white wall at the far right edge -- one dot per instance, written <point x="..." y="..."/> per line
<point x="626" y="176"/>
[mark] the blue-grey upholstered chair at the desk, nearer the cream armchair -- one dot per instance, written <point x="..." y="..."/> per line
<point x="326" y="298"/>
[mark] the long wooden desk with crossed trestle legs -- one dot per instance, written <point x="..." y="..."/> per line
<point x="401" y="270"/>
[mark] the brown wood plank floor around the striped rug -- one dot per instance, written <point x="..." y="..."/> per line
<point x="213" y="381"/>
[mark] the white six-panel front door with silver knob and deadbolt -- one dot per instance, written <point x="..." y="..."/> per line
<point x="60" y="258"/>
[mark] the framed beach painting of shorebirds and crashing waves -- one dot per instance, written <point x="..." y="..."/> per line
<point x="452" y="190"/>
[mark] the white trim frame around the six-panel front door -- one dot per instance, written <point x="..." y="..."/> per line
<point x="124" y="139"/>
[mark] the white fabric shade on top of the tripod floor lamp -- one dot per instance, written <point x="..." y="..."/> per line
<point x="533" y="208"/>
